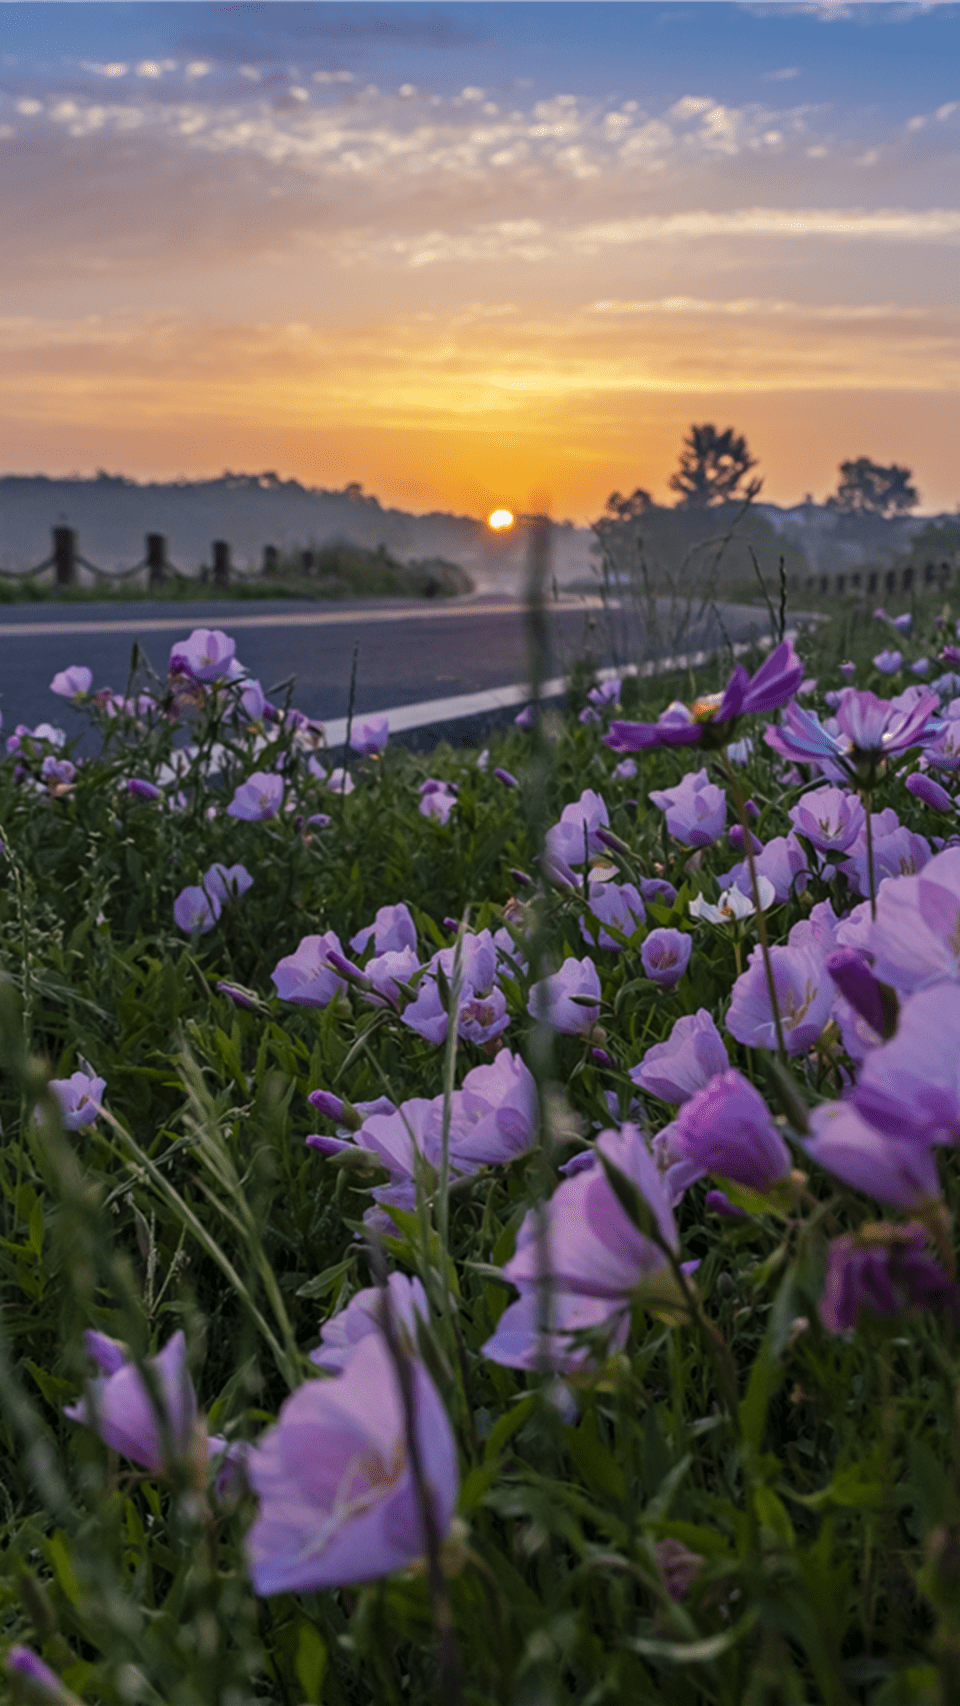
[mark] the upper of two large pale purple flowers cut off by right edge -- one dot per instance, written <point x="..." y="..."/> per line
<point x="917" y="937"/>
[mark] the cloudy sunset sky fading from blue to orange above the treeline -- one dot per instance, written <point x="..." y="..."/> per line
<point x="480" y="253"/>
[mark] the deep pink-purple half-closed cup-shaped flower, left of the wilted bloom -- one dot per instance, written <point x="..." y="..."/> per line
<point x="727" y="1130"/>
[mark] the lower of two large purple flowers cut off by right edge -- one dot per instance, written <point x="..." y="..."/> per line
<point x="911" y="1086"/>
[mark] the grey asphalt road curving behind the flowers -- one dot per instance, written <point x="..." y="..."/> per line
<point x="407" y="653"/>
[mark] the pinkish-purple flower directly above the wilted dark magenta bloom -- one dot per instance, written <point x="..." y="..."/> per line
<point x="898" y="1173"/>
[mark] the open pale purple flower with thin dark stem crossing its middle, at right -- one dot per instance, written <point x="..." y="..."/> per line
<point x="804" y="994"/>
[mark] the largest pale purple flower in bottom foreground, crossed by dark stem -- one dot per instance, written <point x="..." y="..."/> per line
<point x="335" y="1485"/>
